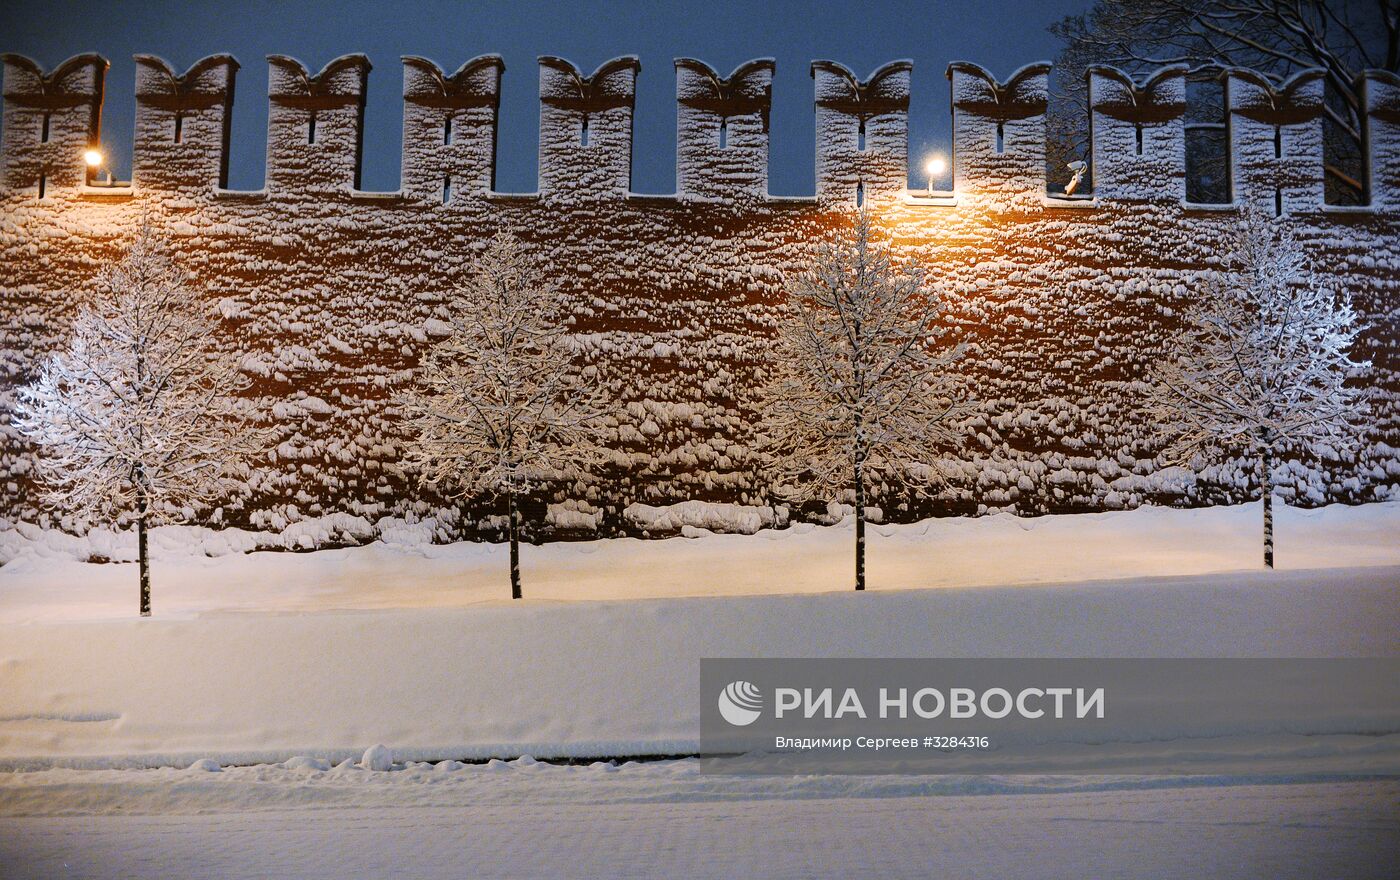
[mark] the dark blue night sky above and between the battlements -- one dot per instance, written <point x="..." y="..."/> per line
<point x="860" y="36"/>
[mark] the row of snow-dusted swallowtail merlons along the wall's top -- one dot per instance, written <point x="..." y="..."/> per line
<point x="316" y="132"/>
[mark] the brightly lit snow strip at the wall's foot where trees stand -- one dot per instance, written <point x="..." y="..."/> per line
<point x="199" y="573"/>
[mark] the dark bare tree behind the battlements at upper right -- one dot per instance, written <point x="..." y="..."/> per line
<point x="1275" y="37"/>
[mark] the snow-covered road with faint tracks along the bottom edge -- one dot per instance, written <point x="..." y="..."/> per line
<point x="664" y="821"/>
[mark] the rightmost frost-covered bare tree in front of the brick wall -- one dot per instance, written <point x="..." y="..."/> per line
<point x="1262" y="362"/>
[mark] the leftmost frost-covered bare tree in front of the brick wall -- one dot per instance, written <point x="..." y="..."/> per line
<point x="139" y="419"/>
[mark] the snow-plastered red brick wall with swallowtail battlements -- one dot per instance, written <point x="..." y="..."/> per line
<point x="330" y="296"/>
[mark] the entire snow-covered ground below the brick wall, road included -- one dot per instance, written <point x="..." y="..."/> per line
<point x="297" y="662"/>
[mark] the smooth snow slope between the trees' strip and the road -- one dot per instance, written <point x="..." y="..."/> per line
<point x="594" y="679"/>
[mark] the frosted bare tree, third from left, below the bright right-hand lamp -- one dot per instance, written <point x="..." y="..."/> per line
<point x="860" y="390"/>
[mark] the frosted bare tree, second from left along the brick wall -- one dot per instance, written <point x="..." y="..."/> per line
<point x="502" y="405"/>
